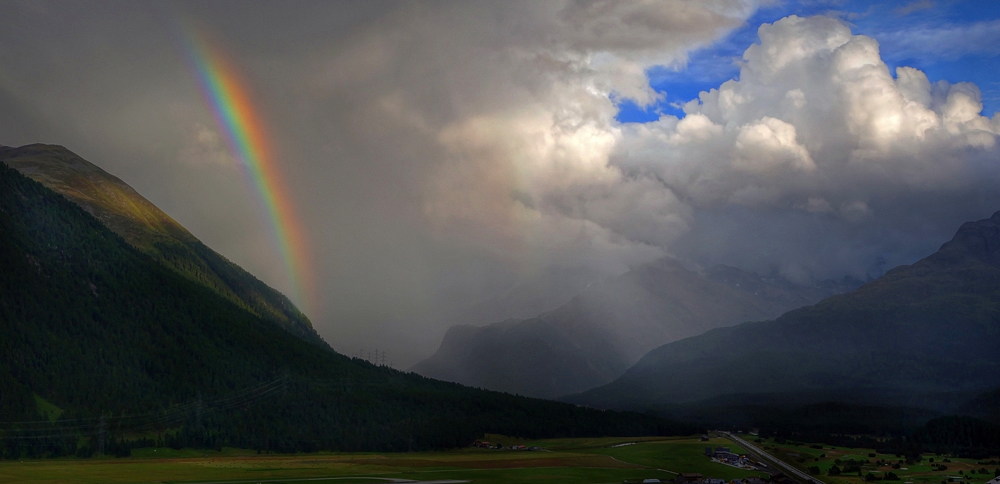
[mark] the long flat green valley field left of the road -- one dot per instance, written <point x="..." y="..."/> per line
<point x="601" y="460"/>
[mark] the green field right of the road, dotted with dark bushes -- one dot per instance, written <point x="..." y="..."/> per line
<point x="926" y="471"/>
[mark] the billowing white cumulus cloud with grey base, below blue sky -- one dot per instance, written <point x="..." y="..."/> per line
<point x="817" y="148"/>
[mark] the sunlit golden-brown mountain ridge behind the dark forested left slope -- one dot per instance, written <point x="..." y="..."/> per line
<point x="149" y="229"/>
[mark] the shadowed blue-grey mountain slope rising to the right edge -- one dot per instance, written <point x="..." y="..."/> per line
<point x="921" y="333"/>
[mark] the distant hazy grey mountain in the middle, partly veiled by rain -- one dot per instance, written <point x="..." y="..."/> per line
<point x="598" y="334"/>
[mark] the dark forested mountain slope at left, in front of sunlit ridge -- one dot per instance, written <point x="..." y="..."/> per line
<point x="101" y="343"/>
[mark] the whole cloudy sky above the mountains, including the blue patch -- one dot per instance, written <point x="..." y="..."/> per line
<point x="440" y="155"/>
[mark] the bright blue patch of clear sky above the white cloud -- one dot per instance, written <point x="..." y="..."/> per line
<point x="954" y="40"/>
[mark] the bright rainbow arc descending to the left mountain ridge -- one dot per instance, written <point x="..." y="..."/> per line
<point x="249" y="142"/>
